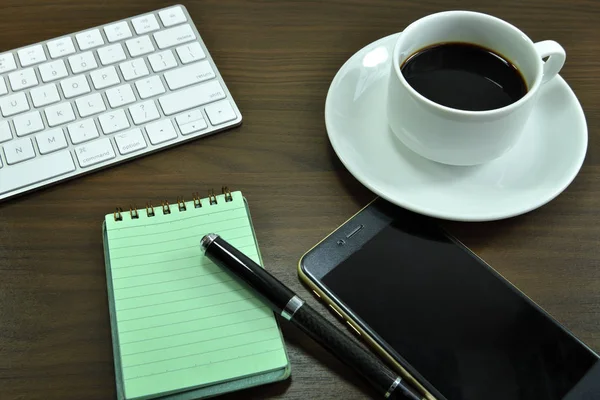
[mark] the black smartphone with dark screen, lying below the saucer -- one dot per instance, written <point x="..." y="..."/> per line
<point x="441" y="316"/>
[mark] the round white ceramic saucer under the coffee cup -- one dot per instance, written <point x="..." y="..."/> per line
<point x="543" y="163"/>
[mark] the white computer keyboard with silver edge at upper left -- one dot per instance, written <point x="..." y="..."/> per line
<point x="102" y="96"/>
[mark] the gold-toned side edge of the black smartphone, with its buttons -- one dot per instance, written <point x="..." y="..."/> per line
<point x="353" y="324"/>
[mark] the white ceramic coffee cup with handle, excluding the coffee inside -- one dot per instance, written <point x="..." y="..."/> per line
<point x="457" y="137"/>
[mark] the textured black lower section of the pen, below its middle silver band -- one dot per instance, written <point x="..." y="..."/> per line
<point x="365" y="363"/>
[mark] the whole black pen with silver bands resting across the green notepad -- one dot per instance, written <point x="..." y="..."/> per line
<point x="284" y="301"/>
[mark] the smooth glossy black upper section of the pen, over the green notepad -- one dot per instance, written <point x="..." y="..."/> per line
<point x="249" y="273"/>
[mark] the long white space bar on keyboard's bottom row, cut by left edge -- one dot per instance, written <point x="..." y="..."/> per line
<point x="34" y="171"/>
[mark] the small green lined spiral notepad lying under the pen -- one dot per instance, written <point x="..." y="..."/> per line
<point x="179" y="321"/>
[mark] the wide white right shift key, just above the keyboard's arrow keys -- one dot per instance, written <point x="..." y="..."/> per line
<point x="191" y="97"/>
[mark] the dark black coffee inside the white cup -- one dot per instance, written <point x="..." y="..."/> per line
<point x="464" y="76"/>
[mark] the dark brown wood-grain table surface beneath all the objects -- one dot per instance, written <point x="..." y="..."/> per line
<point x="278" y="58"/>
